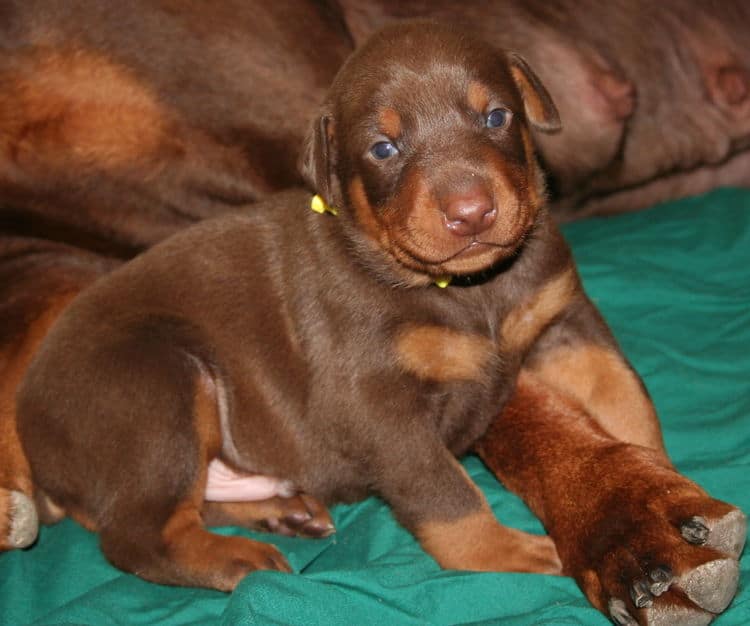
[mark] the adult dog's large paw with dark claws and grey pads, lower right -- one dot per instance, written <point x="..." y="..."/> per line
<point x="658" y="551"/>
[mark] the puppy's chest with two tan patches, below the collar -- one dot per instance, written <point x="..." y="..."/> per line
<point x="465" y="365"/>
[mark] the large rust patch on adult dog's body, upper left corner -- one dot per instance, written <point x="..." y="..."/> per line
<point x="81" y="107"/>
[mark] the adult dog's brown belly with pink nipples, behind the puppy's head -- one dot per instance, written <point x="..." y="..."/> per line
<point x="655" y="97"/>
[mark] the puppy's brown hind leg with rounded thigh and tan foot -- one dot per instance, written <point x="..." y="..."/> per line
<point x="130" y="427"/>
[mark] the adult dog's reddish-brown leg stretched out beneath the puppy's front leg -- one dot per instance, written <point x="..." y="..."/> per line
<point x="611" y="506"/>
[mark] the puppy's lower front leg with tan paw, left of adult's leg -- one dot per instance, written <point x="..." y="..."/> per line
<point x="433" y="496"/>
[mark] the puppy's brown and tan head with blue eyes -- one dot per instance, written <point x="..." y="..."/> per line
<point x="423" y="145"/>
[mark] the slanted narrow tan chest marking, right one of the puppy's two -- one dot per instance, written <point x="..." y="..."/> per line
<point x="529" y="319"/>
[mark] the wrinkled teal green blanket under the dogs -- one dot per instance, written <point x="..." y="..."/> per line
<point x="673" y="282"/>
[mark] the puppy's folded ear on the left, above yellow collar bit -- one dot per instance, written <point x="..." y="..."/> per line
<point x="317" y="161"/>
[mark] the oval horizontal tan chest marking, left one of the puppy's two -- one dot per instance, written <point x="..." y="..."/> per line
<point x="443" y="354"/>
